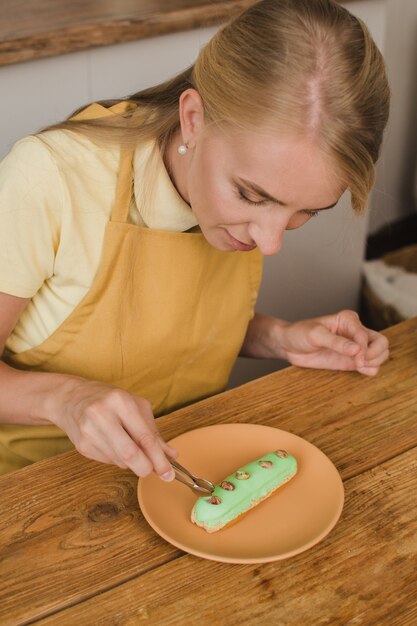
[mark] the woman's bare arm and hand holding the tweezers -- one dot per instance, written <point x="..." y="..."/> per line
<point x="104" y="423"/>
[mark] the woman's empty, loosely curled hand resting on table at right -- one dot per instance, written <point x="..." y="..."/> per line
<point x="336" y="342"/>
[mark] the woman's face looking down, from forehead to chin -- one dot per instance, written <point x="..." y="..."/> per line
<point x="246" y="189"/>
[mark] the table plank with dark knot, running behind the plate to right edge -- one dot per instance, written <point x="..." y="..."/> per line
<point x="65" y="522"/>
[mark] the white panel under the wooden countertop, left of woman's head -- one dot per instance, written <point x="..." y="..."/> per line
<point x="44" y="91"/>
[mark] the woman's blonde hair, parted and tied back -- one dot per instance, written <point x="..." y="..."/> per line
<point x="303" y="66"/>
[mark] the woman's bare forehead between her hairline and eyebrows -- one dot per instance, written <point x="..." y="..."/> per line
<point x="288" y="166"/>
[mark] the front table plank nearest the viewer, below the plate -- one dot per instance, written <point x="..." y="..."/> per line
<point x="364" y="572"/>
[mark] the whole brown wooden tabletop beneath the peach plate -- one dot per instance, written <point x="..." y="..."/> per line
<point x="75" y="549"/>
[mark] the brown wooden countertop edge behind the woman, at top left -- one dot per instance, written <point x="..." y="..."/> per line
<point x="31" y="29"/>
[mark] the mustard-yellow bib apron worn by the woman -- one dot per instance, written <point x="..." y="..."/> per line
<point x="165" y="318"/>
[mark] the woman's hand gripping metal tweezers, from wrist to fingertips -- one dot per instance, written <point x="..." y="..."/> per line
<point x="111" y="425"/>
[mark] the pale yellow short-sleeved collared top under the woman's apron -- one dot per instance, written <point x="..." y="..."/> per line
<point x="57" y="192"/>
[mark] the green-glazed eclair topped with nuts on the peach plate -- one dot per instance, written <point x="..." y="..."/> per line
<point x="244" y="489"/>
